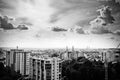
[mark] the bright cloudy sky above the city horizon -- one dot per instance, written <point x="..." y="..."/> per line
<point x="60" y="23"/>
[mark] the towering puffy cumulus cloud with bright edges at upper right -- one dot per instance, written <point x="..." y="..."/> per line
<point x="100" y="24"/>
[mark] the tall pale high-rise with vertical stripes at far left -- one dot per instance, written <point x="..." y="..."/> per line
<point x="18" y="60"/>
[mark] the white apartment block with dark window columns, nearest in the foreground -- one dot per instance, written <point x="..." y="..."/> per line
<point x="45" y="68"/>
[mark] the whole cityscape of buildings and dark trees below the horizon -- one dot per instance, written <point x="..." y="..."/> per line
<point x="59" y="64"/>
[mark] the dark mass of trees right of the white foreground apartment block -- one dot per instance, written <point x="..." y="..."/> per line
<point x="83" y="69"/>
